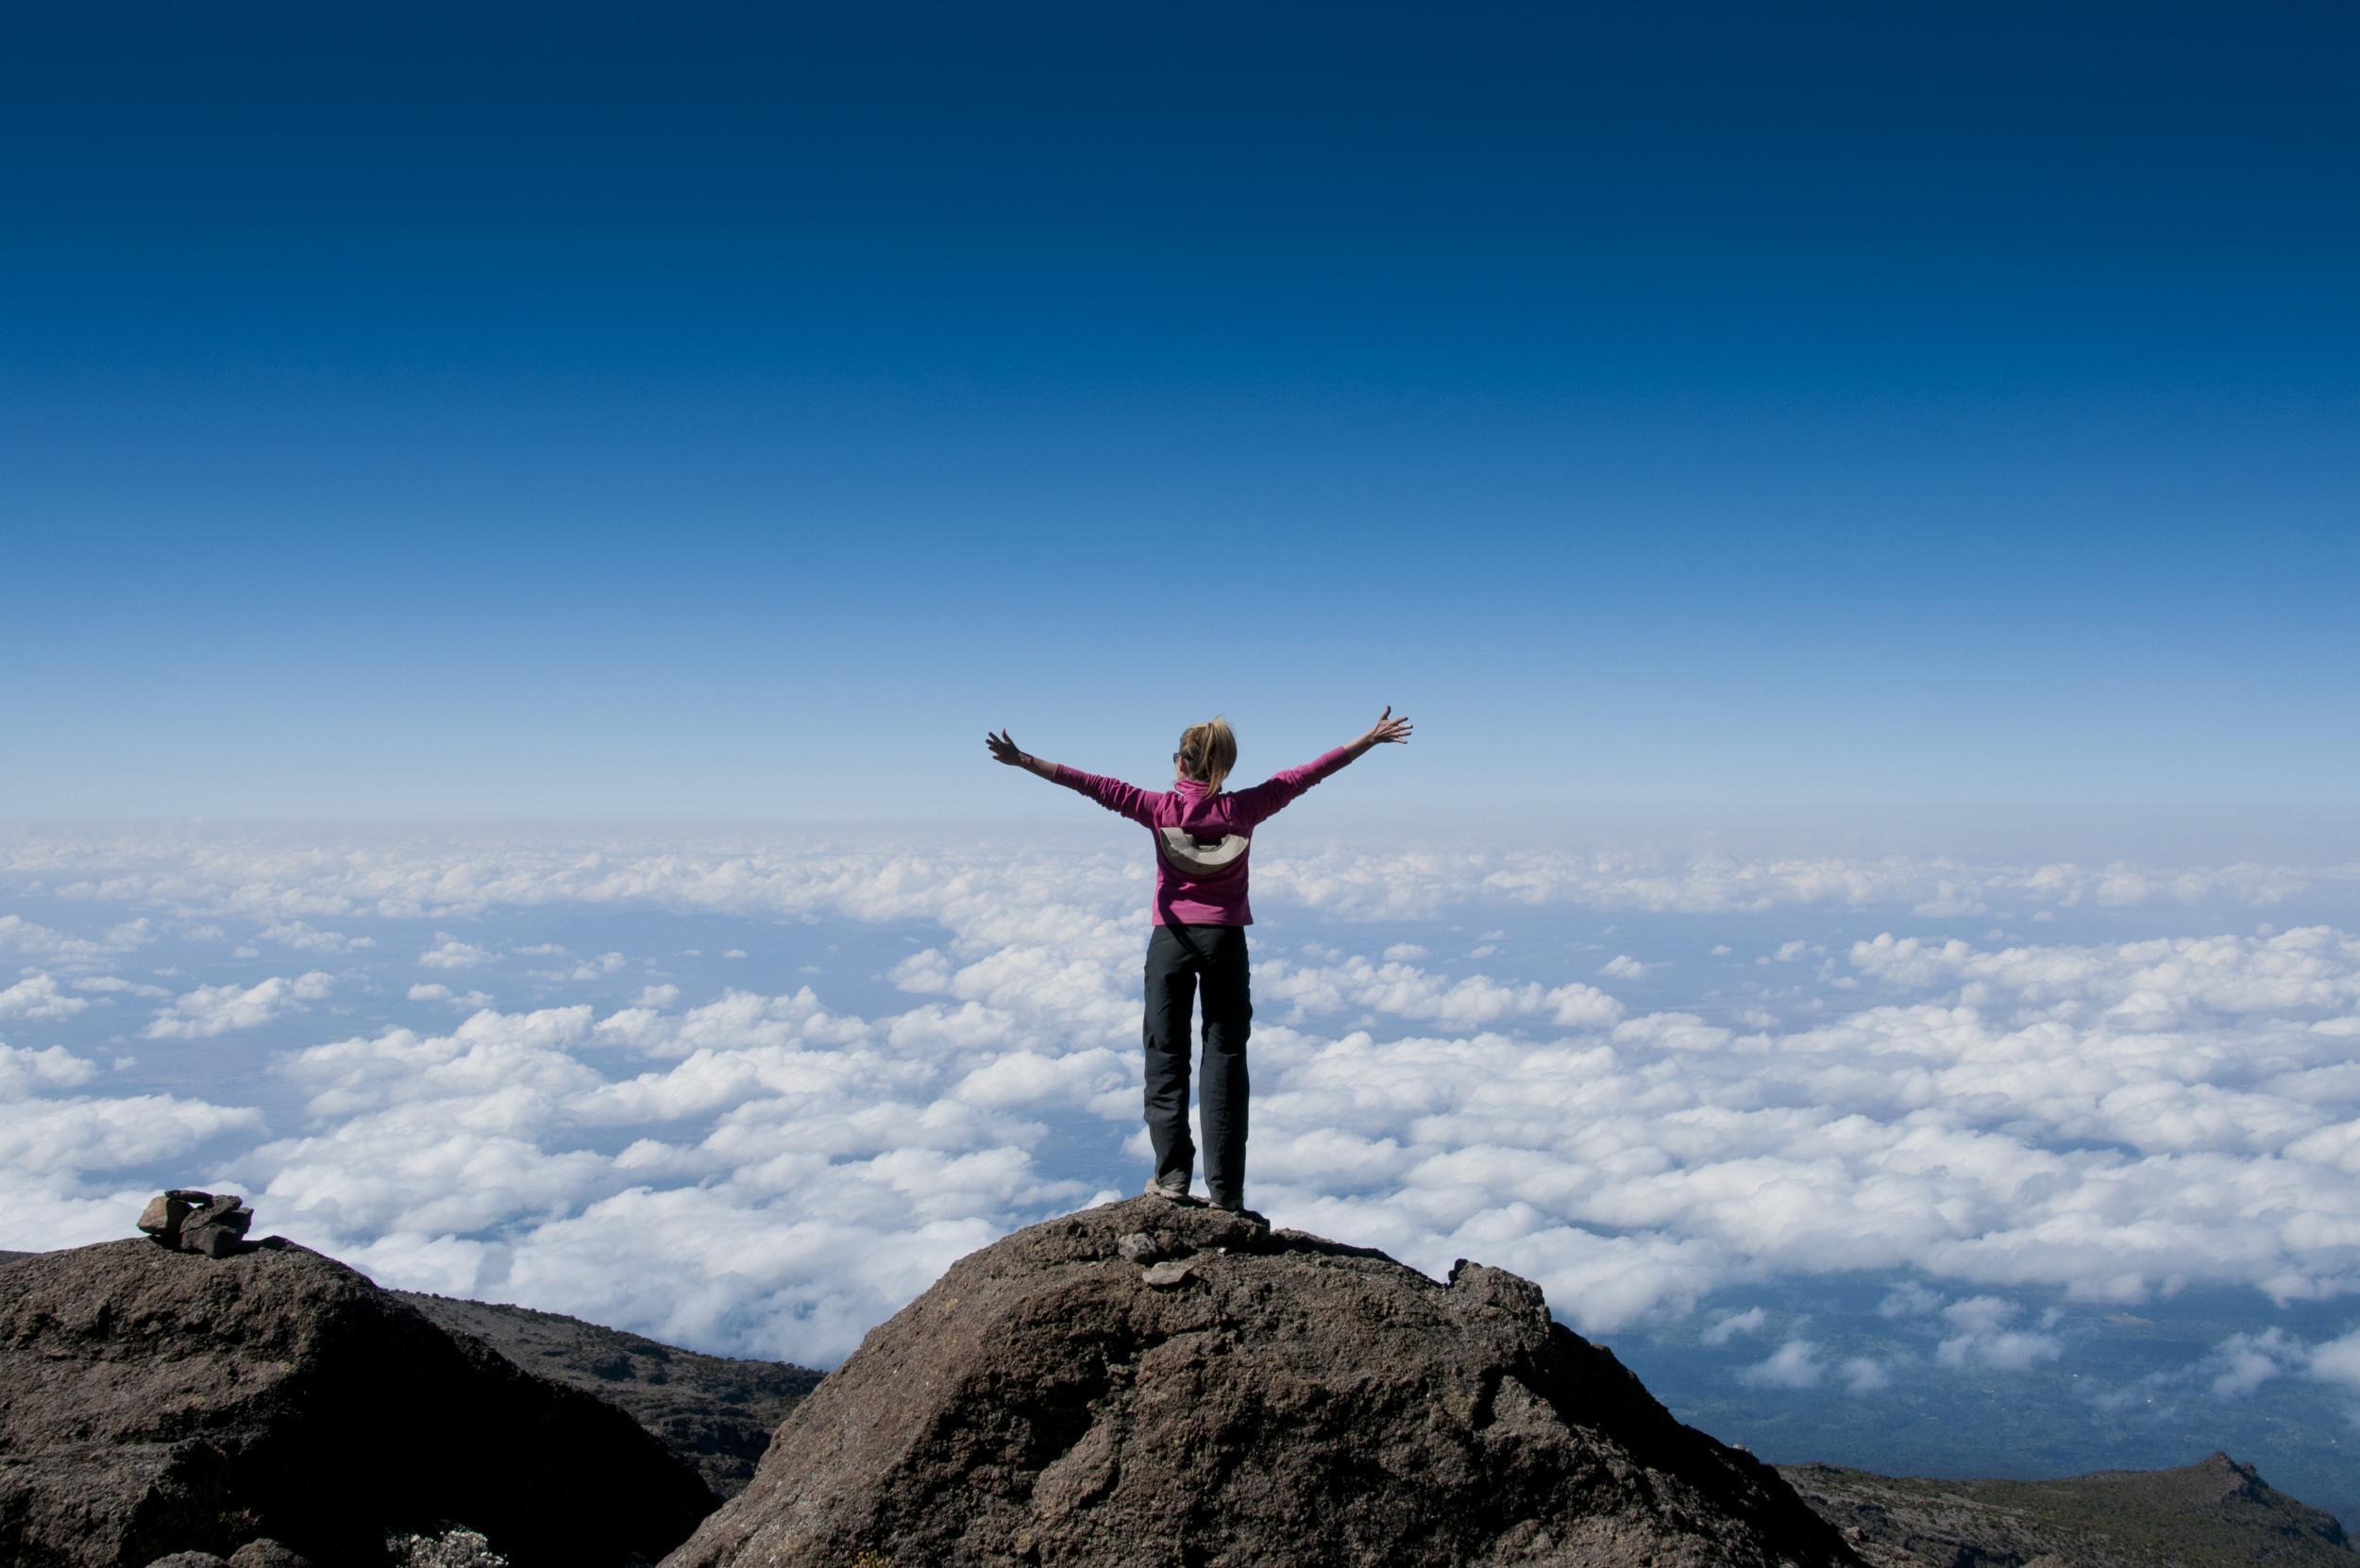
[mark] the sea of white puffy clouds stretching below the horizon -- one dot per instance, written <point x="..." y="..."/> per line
<point x="756" y="1092"/>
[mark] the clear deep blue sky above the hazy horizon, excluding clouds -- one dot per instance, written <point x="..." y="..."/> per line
<point x="735" y="412"/>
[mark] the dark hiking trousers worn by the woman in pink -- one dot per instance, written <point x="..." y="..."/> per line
<point x="1181" y="960"/>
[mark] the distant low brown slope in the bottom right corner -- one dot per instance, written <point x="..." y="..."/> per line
<point x="2205" y="1515"/>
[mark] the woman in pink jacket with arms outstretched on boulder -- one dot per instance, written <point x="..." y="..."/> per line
<point x="1200" y="934"/>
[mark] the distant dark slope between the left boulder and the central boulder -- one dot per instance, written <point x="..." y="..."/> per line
<point x="712" y="1411"/>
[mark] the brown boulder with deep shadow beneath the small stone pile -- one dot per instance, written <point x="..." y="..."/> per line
<point x="162" y="1402"/>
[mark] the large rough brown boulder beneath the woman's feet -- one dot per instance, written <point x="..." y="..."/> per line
<point x="1158" y="1387"/>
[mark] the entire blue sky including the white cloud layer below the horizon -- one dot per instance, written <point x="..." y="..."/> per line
<point x="1906" y="450"/>
